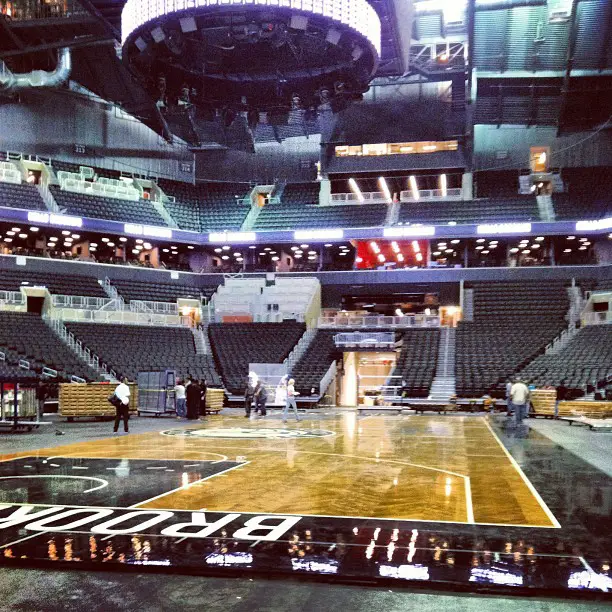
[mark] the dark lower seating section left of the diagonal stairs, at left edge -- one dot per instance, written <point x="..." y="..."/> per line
<point x="28" y="337"/>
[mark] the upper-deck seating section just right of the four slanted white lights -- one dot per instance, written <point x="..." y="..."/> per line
<point x="518" y="208"/>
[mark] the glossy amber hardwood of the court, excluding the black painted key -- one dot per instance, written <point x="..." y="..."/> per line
<point x="428" y="468"/>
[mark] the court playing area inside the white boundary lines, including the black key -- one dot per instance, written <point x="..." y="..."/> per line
<point x="437" y="469"/>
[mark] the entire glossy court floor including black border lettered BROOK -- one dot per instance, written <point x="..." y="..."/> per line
<point x="413" y="498"/>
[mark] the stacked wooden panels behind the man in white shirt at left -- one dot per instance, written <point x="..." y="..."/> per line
<point x="90" y="400"/>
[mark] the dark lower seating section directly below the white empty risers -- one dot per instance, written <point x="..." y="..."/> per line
<point x="236" y="345"/>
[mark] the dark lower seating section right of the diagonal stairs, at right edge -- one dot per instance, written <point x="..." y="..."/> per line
<point x="587" y="358"/>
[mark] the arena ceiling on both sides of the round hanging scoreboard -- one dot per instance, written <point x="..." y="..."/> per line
<point x="536" y="62"/>
